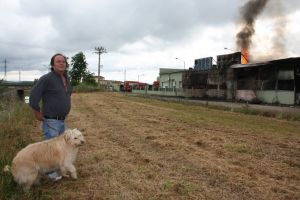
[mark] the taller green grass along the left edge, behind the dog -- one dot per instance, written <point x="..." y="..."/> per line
<point x="16" y="119"/>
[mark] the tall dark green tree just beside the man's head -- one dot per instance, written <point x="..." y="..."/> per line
<point x="79" y="68"/>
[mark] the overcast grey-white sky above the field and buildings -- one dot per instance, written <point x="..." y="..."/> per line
<point x="140" y="36"/>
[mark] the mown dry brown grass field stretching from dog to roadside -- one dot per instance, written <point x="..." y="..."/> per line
<point x="146" y="149"/>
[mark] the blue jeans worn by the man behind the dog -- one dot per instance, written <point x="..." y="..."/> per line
<point x="53" y="128"/>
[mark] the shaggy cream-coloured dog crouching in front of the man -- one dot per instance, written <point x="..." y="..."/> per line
<point x="39" y="158"/>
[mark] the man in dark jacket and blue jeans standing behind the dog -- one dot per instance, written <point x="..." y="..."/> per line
<point x="54" y="90"/>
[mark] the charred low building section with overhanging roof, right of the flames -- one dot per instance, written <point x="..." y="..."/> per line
<point x="275" y="81"/>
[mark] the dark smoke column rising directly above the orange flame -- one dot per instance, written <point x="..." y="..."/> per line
<point x="249" y="13"/>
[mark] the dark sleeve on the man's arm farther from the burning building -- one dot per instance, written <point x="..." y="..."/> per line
<point x="36" y="93"/>
